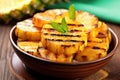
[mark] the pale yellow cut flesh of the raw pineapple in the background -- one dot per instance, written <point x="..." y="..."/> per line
<point x="7" y="5"/>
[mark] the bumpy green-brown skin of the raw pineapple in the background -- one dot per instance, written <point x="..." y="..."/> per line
<point x="26" y="11"/>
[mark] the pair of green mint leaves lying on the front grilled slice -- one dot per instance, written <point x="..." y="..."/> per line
<point x="63" y="28"/>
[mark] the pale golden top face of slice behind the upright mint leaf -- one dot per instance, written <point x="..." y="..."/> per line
<point x="88" y="20"/>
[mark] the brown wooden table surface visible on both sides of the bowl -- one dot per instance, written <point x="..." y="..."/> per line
<point x="113" y="67"/>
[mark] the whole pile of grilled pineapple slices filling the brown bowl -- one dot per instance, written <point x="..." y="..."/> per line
<point x="87" y="38"/>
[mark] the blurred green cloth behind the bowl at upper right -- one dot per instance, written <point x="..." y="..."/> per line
<point x="107" y="10"/>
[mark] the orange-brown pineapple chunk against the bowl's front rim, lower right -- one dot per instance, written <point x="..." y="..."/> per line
<point x="89" y="54"/>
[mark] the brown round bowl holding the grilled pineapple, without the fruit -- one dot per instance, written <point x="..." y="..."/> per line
<point x="63" y="70"/>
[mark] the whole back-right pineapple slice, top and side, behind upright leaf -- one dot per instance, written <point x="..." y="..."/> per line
<point x="88" y="20"/>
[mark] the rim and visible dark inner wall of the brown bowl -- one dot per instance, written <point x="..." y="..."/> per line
<point x="112" y="48"/>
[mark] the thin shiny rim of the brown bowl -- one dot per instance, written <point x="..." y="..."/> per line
<point x="62" y="63"/>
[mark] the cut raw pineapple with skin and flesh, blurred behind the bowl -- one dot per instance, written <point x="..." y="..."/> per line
<point x="17" y="9"/>
